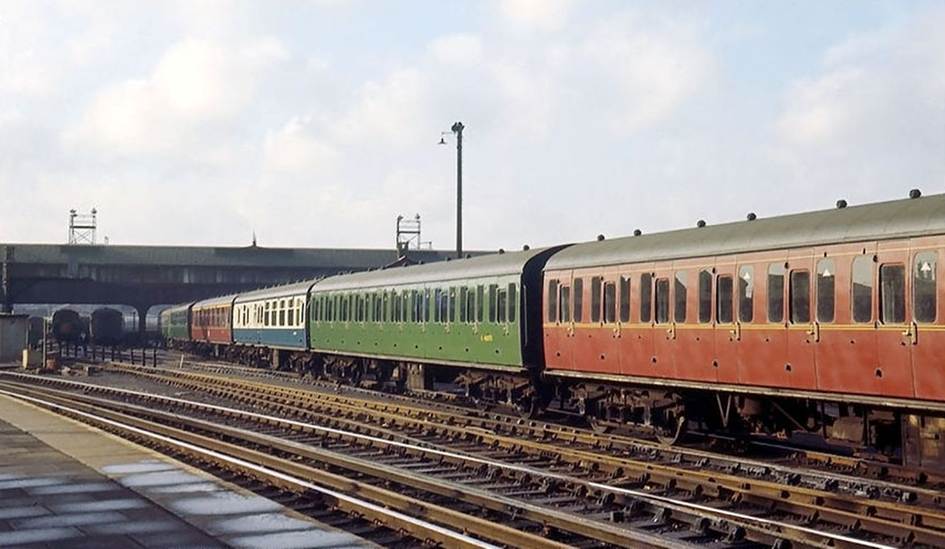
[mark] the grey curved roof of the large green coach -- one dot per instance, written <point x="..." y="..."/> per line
<point x="457" y="269"/>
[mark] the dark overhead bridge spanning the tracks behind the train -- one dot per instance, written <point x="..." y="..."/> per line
<point x="145" y="276"/>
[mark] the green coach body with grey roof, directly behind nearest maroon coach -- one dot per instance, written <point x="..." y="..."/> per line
<point x="471" y="312"/>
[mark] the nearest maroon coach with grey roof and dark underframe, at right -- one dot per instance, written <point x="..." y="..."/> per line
<point x="825" y="324"/>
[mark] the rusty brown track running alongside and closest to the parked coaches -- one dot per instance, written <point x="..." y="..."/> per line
<point x="813" y="470"/>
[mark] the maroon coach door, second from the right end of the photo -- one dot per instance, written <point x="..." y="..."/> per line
<point x="803" y="331"/>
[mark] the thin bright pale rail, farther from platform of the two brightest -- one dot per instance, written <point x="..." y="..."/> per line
<point x="836" y="538"/>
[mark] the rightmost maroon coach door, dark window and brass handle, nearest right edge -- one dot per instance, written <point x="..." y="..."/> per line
<point x="896" y="332"/>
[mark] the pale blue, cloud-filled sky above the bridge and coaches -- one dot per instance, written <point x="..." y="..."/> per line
<point x="316" y="122"/>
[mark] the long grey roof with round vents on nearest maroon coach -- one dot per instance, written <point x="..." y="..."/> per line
<point x="879" y="221"/>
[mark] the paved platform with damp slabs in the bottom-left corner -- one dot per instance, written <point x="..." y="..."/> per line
<point x="66" y="485"/>
